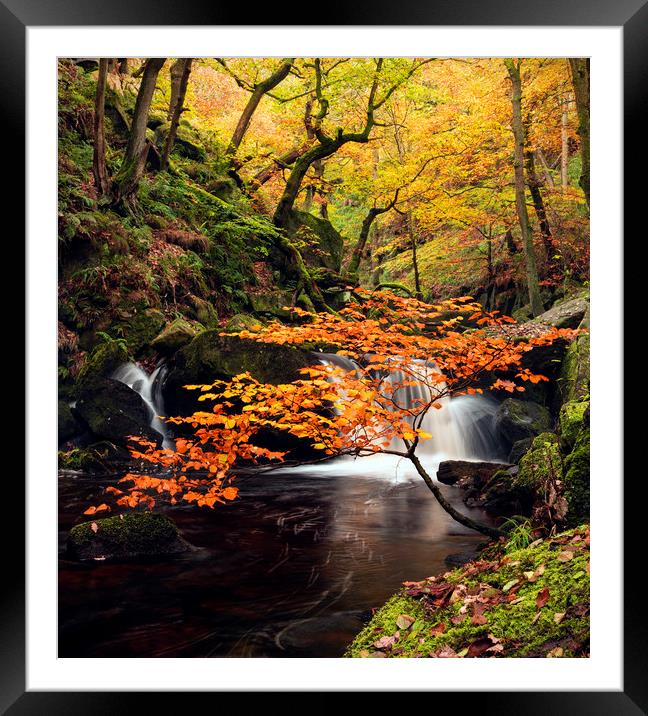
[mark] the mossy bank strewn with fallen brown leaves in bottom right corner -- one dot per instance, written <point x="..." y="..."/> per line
<point x="519" y="602"/>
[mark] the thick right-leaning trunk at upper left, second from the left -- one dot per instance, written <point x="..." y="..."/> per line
<point x="127" y="180"/>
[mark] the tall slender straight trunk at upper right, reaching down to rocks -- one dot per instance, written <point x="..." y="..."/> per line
<point x="520" y="188"/>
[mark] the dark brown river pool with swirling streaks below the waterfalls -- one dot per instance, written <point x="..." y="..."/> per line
<point x="291" y="569"/>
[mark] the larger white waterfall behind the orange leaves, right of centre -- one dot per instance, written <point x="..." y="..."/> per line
<point x="462" y="429"/>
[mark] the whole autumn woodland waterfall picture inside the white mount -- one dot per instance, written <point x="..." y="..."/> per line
<point x="323" y="357"/>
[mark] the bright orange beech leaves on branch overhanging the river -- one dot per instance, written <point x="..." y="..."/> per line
<point x="359" y="413"/>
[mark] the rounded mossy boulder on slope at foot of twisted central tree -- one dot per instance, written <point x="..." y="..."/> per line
<point x="320" y="243"/>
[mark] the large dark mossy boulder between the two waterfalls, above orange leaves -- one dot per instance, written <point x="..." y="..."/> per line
<point x="211" y="356"/>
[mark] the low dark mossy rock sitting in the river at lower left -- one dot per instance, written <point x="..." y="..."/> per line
<point x="134" y="534"/>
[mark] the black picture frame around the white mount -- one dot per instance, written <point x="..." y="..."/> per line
<point x="17" y="15"/>
